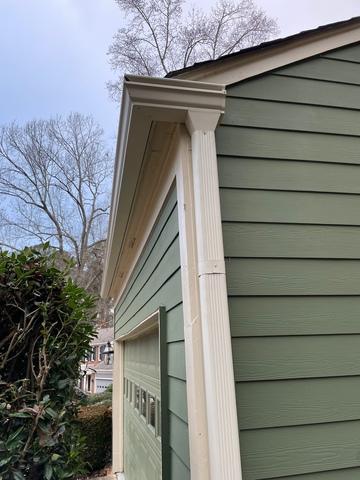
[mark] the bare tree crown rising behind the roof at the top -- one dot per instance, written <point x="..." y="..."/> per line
<point x="161" y="36"/>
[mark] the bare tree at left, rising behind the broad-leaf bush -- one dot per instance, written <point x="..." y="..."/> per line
<point x="54" y="187"/>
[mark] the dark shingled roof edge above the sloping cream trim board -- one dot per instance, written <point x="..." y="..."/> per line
<point x="266" y="45"/>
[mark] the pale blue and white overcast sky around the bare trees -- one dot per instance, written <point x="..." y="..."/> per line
<point x="53" y="52"/>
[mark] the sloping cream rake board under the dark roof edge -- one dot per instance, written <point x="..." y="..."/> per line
<point x="243" y="66"/>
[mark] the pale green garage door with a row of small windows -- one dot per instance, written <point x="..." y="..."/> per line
<point x="142" y="442"/>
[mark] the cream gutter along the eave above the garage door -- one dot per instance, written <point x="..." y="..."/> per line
<point x="146" y="100"/>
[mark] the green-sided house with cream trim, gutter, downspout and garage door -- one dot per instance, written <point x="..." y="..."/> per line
<point x="234" y="259"/>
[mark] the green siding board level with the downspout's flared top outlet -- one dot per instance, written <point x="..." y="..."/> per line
<point x="286" y="116"/>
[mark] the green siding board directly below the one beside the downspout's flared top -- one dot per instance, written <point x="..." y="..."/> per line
<point x="255" y="142"/>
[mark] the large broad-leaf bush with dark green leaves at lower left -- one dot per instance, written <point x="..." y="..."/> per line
<point x="45" y="331"/>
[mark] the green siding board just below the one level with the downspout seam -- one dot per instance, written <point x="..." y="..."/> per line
<point x="270" y="316"/>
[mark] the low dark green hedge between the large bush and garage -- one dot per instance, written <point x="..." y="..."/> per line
<point x="95" y="426"/>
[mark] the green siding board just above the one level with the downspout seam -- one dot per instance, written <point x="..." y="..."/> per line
<point x="290" y="241"/>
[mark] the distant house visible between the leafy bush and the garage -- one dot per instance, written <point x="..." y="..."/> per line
<point x="97" y="369"/>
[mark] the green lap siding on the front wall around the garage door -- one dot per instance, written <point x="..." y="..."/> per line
<point x="155" y="282"/>
